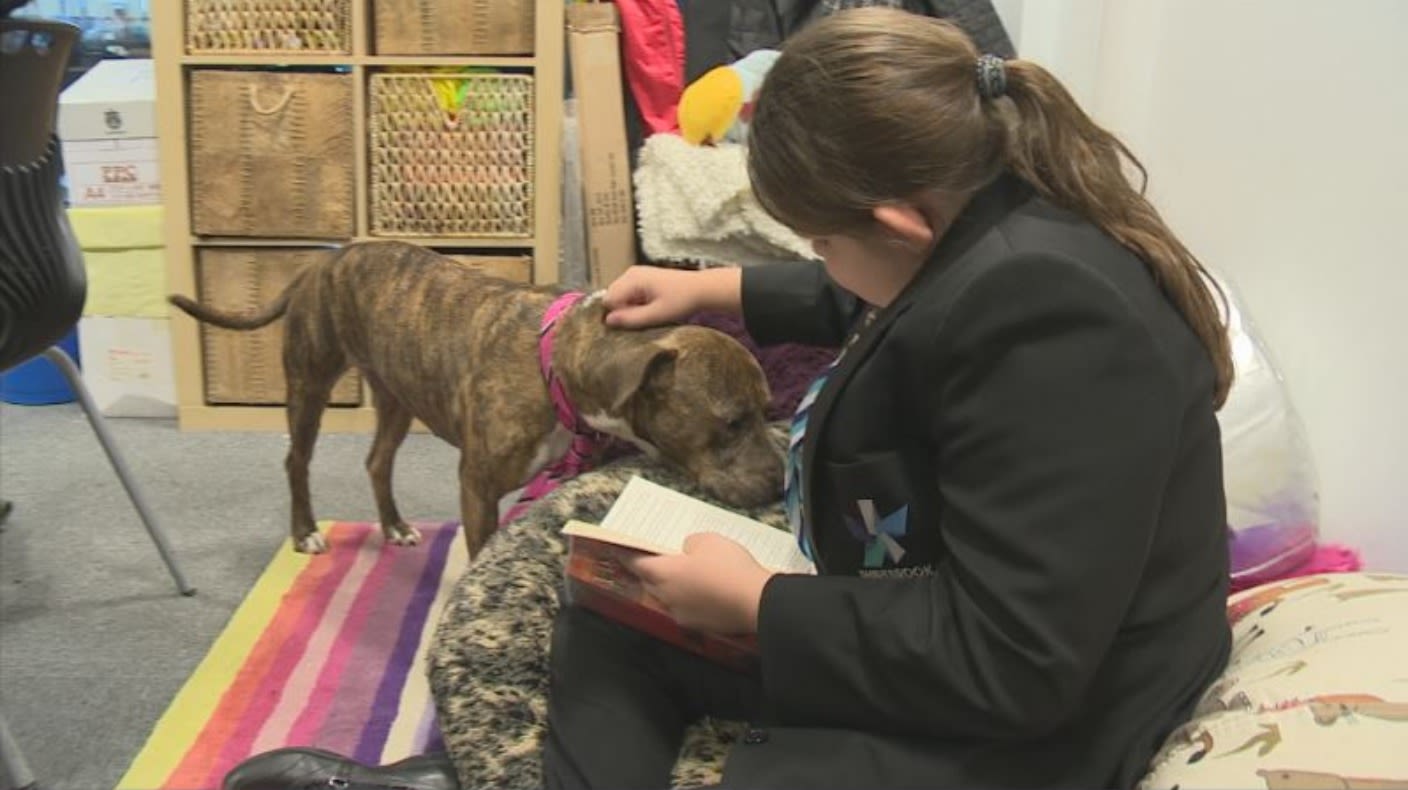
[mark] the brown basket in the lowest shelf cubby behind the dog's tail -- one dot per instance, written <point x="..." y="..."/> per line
<point x="247" y="368"/>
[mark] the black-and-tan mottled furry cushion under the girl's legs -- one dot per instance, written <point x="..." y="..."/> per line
<point x="489" y="658"/>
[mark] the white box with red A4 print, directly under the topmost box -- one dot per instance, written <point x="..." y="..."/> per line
<point x="113" y="173"/>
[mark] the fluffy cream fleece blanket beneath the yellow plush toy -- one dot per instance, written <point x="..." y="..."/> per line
<point x="695" y="205"/>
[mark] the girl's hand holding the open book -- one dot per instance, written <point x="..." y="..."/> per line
<point x="715" y="587"/>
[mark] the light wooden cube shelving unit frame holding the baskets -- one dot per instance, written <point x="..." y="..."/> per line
<point x="174" y="65"/>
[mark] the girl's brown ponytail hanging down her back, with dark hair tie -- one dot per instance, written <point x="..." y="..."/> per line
<point x="1054" y="146"/>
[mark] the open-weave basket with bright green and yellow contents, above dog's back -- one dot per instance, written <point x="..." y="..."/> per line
<point x="458" y="175"/>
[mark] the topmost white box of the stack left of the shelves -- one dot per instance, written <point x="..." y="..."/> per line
<point x="113" y="101"/>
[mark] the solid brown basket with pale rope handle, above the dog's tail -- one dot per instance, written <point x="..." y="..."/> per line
<point x="271" y="154"/>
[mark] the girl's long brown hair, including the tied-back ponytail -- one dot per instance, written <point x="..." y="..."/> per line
<point x="875" y="105"/>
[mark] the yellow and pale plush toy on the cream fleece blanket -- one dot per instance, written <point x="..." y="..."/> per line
<point x="720" y="105"/>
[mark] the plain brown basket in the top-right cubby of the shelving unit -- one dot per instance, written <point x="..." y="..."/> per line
<point x="454" y="27"/>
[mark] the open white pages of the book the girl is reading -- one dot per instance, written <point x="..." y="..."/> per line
<point x="651" y="518"/>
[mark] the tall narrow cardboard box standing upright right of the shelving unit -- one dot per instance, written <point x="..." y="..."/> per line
<point x="593" y="47"/>
